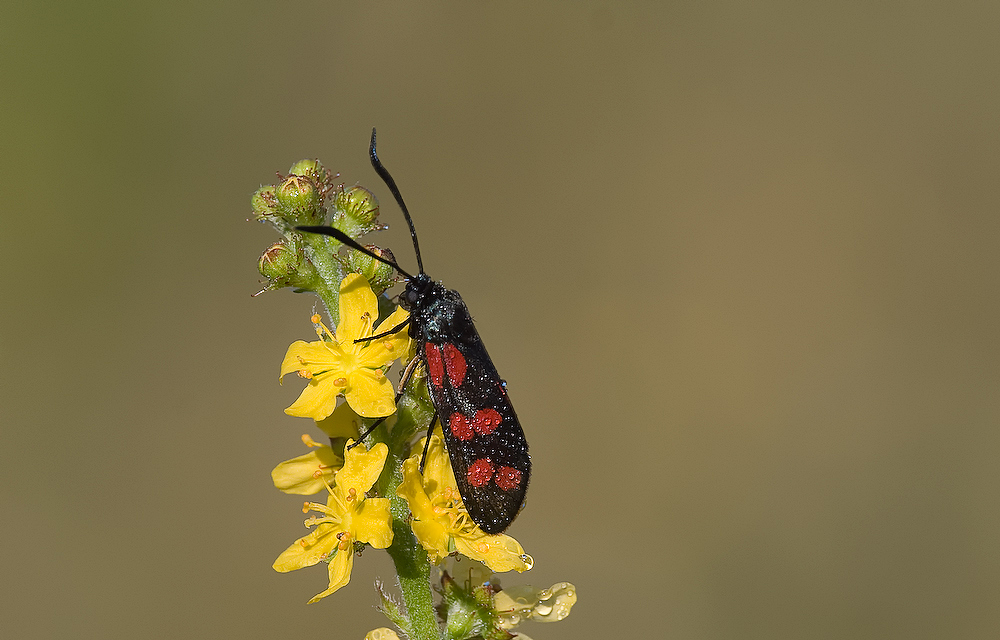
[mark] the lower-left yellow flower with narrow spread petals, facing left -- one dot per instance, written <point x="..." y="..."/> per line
<point x="347" y="517"/>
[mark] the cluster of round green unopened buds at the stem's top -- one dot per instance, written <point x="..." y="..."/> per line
<point x="310" y="195"/>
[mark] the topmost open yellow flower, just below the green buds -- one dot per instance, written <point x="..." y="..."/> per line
<point x="337" y="364"/>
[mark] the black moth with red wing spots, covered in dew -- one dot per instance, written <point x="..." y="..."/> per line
<point x="484" y="438"/>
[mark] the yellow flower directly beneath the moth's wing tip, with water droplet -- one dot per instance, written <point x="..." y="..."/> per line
<point x="440" y="521"/>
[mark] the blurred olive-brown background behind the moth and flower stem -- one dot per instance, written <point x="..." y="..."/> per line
<point x="737" y="261"/>
